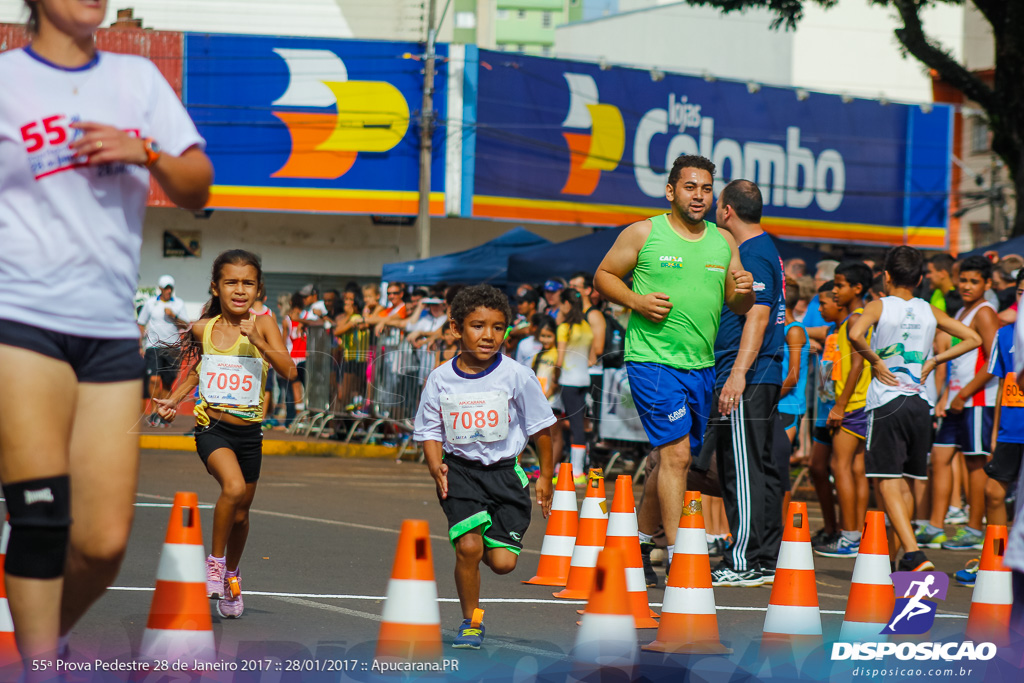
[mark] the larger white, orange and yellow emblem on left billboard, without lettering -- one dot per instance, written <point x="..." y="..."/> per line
<point x="372" y="116"/>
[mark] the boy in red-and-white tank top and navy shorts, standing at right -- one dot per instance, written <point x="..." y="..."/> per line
<point x="970" y="400"/>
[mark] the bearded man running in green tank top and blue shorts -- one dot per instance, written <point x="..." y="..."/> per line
<point x="685" y="270"/>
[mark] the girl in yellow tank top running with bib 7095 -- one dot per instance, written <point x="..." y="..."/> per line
<point x="236" y="348"/>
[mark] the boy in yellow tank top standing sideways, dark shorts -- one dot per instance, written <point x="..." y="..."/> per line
<point x="847" y="416"/>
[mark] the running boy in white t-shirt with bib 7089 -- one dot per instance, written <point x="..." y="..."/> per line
<point x="477" y="415"/>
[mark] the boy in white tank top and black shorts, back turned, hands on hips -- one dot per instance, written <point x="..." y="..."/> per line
<point x="899" y="407"/>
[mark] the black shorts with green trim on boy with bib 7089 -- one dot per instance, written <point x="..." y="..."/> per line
<point x="496" y="497"/>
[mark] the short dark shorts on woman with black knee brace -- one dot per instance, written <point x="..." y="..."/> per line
<point x="95" y="361"/>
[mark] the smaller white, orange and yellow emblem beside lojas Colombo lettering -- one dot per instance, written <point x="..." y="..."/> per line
<point x="600" y="150"/>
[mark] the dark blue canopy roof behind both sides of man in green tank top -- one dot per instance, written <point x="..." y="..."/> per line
<point x="566" y="259"/>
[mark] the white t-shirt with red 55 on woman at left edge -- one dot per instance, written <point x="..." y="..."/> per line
<point x="71" y="233"/>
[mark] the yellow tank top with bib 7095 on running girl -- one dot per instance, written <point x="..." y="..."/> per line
<point x="229" y="379"/>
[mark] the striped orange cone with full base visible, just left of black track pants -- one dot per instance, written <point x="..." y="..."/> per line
<point x="690" y="620"/>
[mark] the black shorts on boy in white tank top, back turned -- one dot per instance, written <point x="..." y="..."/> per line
<point x="900" y="438"/>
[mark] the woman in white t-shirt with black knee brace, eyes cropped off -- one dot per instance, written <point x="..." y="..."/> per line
<point x="81" y="135"/>
